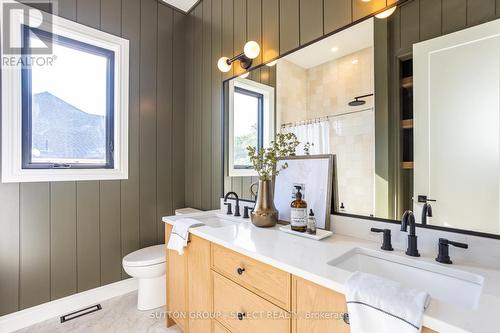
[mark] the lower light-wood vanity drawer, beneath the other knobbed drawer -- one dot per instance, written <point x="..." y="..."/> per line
<point x="243" y="311"/>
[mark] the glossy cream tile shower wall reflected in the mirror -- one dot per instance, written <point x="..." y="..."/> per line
<point x="326" y="90"/>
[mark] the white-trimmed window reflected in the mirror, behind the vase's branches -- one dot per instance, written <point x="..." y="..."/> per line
<point x="251" y="122"/>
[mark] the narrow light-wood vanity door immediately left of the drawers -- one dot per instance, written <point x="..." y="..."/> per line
<point x="199" y="285"/>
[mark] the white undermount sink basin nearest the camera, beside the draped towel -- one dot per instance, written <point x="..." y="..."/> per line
<point x="449" y="285"/>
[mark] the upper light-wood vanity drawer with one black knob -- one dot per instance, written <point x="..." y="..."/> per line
<point x="269" y="282"/>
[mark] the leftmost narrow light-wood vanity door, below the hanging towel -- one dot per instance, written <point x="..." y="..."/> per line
<point x="176" y="285"/>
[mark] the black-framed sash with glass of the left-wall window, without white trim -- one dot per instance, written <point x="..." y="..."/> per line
<point x="67" y="125"/>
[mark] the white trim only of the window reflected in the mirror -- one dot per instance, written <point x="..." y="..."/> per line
<point x="269" y="120"/>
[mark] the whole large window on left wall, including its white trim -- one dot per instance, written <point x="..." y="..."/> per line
<point x="65" y="113"/>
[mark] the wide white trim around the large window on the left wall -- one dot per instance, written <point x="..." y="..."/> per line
<point x="12" y="171"/>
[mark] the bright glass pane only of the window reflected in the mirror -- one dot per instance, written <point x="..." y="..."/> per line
<point x="246" y="115"/>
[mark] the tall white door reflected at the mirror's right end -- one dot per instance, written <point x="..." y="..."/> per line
<point x="457" y="128"/>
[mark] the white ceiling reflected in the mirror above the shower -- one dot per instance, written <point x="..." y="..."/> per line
<point x="355" y="38"/>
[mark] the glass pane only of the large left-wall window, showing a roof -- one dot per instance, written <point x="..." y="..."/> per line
<point x="69" y="102"/>
